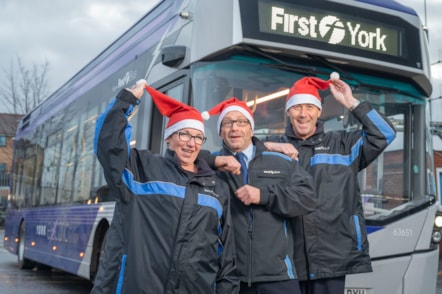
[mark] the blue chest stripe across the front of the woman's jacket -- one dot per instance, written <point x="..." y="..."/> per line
<point x="169" y="189"/>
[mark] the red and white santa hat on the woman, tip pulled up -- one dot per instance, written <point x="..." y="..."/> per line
<point x="180" y="115"/>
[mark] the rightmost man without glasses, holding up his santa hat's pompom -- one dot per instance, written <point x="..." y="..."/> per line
<point x="331" y="242"/>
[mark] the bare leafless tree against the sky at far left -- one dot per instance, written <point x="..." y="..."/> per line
<point x="23" y="88"/>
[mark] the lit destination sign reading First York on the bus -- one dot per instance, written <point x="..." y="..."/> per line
<point x="328" y="27"/>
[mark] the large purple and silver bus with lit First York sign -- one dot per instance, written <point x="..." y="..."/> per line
<point x="204" y="51"/>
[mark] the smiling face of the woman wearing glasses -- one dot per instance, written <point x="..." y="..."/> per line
<point x="186" y="151"/>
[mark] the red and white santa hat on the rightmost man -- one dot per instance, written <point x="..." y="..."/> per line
<point x="305" y="91"/>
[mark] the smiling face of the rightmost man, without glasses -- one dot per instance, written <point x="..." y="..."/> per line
<point x="303" y="118"/>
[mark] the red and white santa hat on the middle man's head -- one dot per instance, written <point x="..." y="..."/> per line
<point x="232" y="104"/>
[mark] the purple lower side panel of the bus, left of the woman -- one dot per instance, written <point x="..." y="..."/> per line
<point x="61" y="237"/>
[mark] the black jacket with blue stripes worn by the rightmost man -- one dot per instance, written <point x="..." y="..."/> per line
<point x="335" y="238"/>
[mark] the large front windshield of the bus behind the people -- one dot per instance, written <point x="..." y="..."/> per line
<point x="386" y="185"/>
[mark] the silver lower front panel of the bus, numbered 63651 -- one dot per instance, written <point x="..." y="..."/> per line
<point x="397" y="254"/>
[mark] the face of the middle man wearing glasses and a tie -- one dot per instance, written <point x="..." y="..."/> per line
<point x="236" y="134"/>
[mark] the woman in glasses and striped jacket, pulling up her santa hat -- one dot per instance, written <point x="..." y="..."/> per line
<point x="172" y="211"/>
